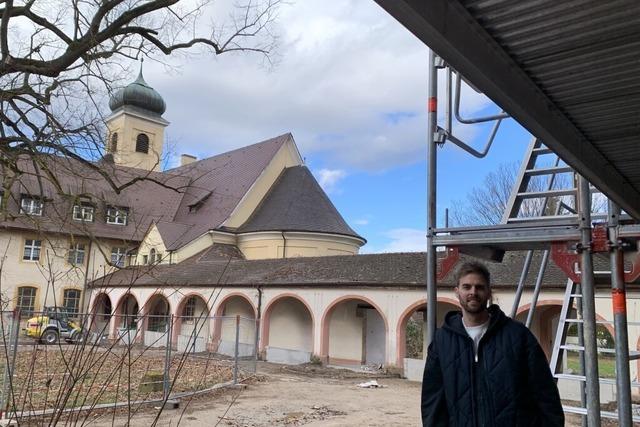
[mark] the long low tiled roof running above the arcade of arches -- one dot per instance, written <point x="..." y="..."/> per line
<point x="390" y="269"/>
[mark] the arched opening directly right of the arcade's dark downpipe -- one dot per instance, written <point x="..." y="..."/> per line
<point x="287" y="334"/>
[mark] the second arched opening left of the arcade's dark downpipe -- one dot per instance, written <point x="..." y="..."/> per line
<point x="192" y="324"/>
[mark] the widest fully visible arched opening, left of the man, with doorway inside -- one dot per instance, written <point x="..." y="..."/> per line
<point x="354" y="333"/>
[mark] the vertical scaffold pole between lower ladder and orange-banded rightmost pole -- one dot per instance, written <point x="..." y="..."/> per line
<point x="588" y="306"/>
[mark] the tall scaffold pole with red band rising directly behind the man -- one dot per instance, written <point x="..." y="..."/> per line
<point x="432" y="116"/>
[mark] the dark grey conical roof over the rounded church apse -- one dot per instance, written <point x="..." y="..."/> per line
<point x="296" y="202"/>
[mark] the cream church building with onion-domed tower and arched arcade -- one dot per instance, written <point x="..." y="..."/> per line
<point x="246" y="233"/>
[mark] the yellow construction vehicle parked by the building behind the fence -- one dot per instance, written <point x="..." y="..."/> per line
<point x="52" y="325"/>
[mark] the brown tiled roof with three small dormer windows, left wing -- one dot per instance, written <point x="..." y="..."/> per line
<point x="77" y="182"/>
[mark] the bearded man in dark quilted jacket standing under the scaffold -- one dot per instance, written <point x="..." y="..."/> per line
<point x="484" y="369"/>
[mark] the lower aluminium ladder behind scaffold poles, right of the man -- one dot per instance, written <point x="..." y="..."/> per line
<point x="570" y="314"/>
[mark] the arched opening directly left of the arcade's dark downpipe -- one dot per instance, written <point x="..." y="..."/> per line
<point x="232" y="308"/>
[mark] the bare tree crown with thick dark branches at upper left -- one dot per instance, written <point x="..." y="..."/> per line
<point x="59" y="58"/>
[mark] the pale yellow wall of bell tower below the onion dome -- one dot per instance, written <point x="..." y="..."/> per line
<point x="128" y="126"/>
